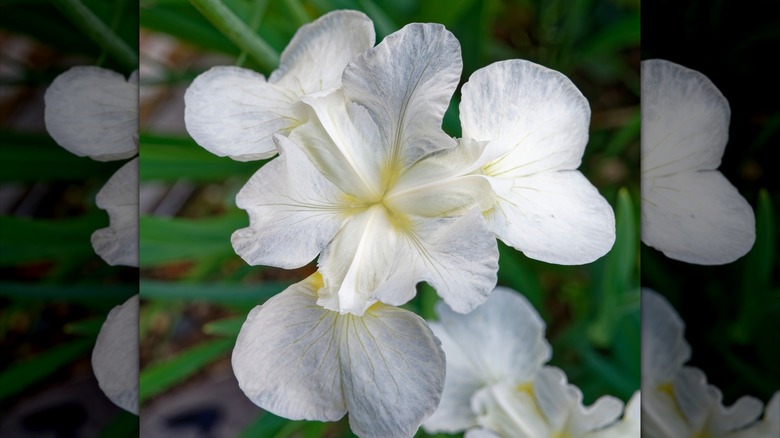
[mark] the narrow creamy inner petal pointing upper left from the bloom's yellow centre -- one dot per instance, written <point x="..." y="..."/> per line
<point x="343" y="142"/>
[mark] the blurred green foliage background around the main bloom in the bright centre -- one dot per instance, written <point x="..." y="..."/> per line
<point x="196" y="292"/>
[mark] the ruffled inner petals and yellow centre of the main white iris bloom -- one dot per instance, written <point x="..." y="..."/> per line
<point x="373" y="183"/>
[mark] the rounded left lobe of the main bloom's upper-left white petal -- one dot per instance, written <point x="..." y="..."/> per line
<point x="234" y="112"/>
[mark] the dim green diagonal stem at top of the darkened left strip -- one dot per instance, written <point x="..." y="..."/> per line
<point x="96" y="29"/>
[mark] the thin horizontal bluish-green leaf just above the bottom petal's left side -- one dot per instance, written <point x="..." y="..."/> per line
<point x="232" y="294"/>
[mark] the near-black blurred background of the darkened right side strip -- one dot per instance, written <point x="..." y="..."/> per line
<point x="732" y="312"/>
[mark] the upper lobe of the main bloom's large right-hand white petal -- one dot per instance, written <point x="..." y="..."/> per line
<point x="535" y="115"/>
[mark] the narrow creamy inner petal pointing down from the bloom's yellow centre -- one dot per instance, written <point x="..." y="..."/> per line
<point x="358" y="261"/>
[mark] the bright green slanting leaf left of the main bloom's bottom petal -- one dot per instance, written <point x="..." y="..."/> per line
<point x="159" y="377"/>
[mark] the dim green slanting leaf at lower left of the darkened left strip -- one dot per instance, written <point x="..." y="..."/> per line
<point x="19" y="376"/>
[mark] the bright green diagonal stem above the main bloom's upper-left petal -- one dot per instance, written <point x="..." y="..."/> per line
<point x="238" y="32"/>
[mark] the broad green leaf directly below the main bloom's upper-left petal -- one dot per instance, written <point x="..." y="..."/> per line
<point x="160" y="155"/>
